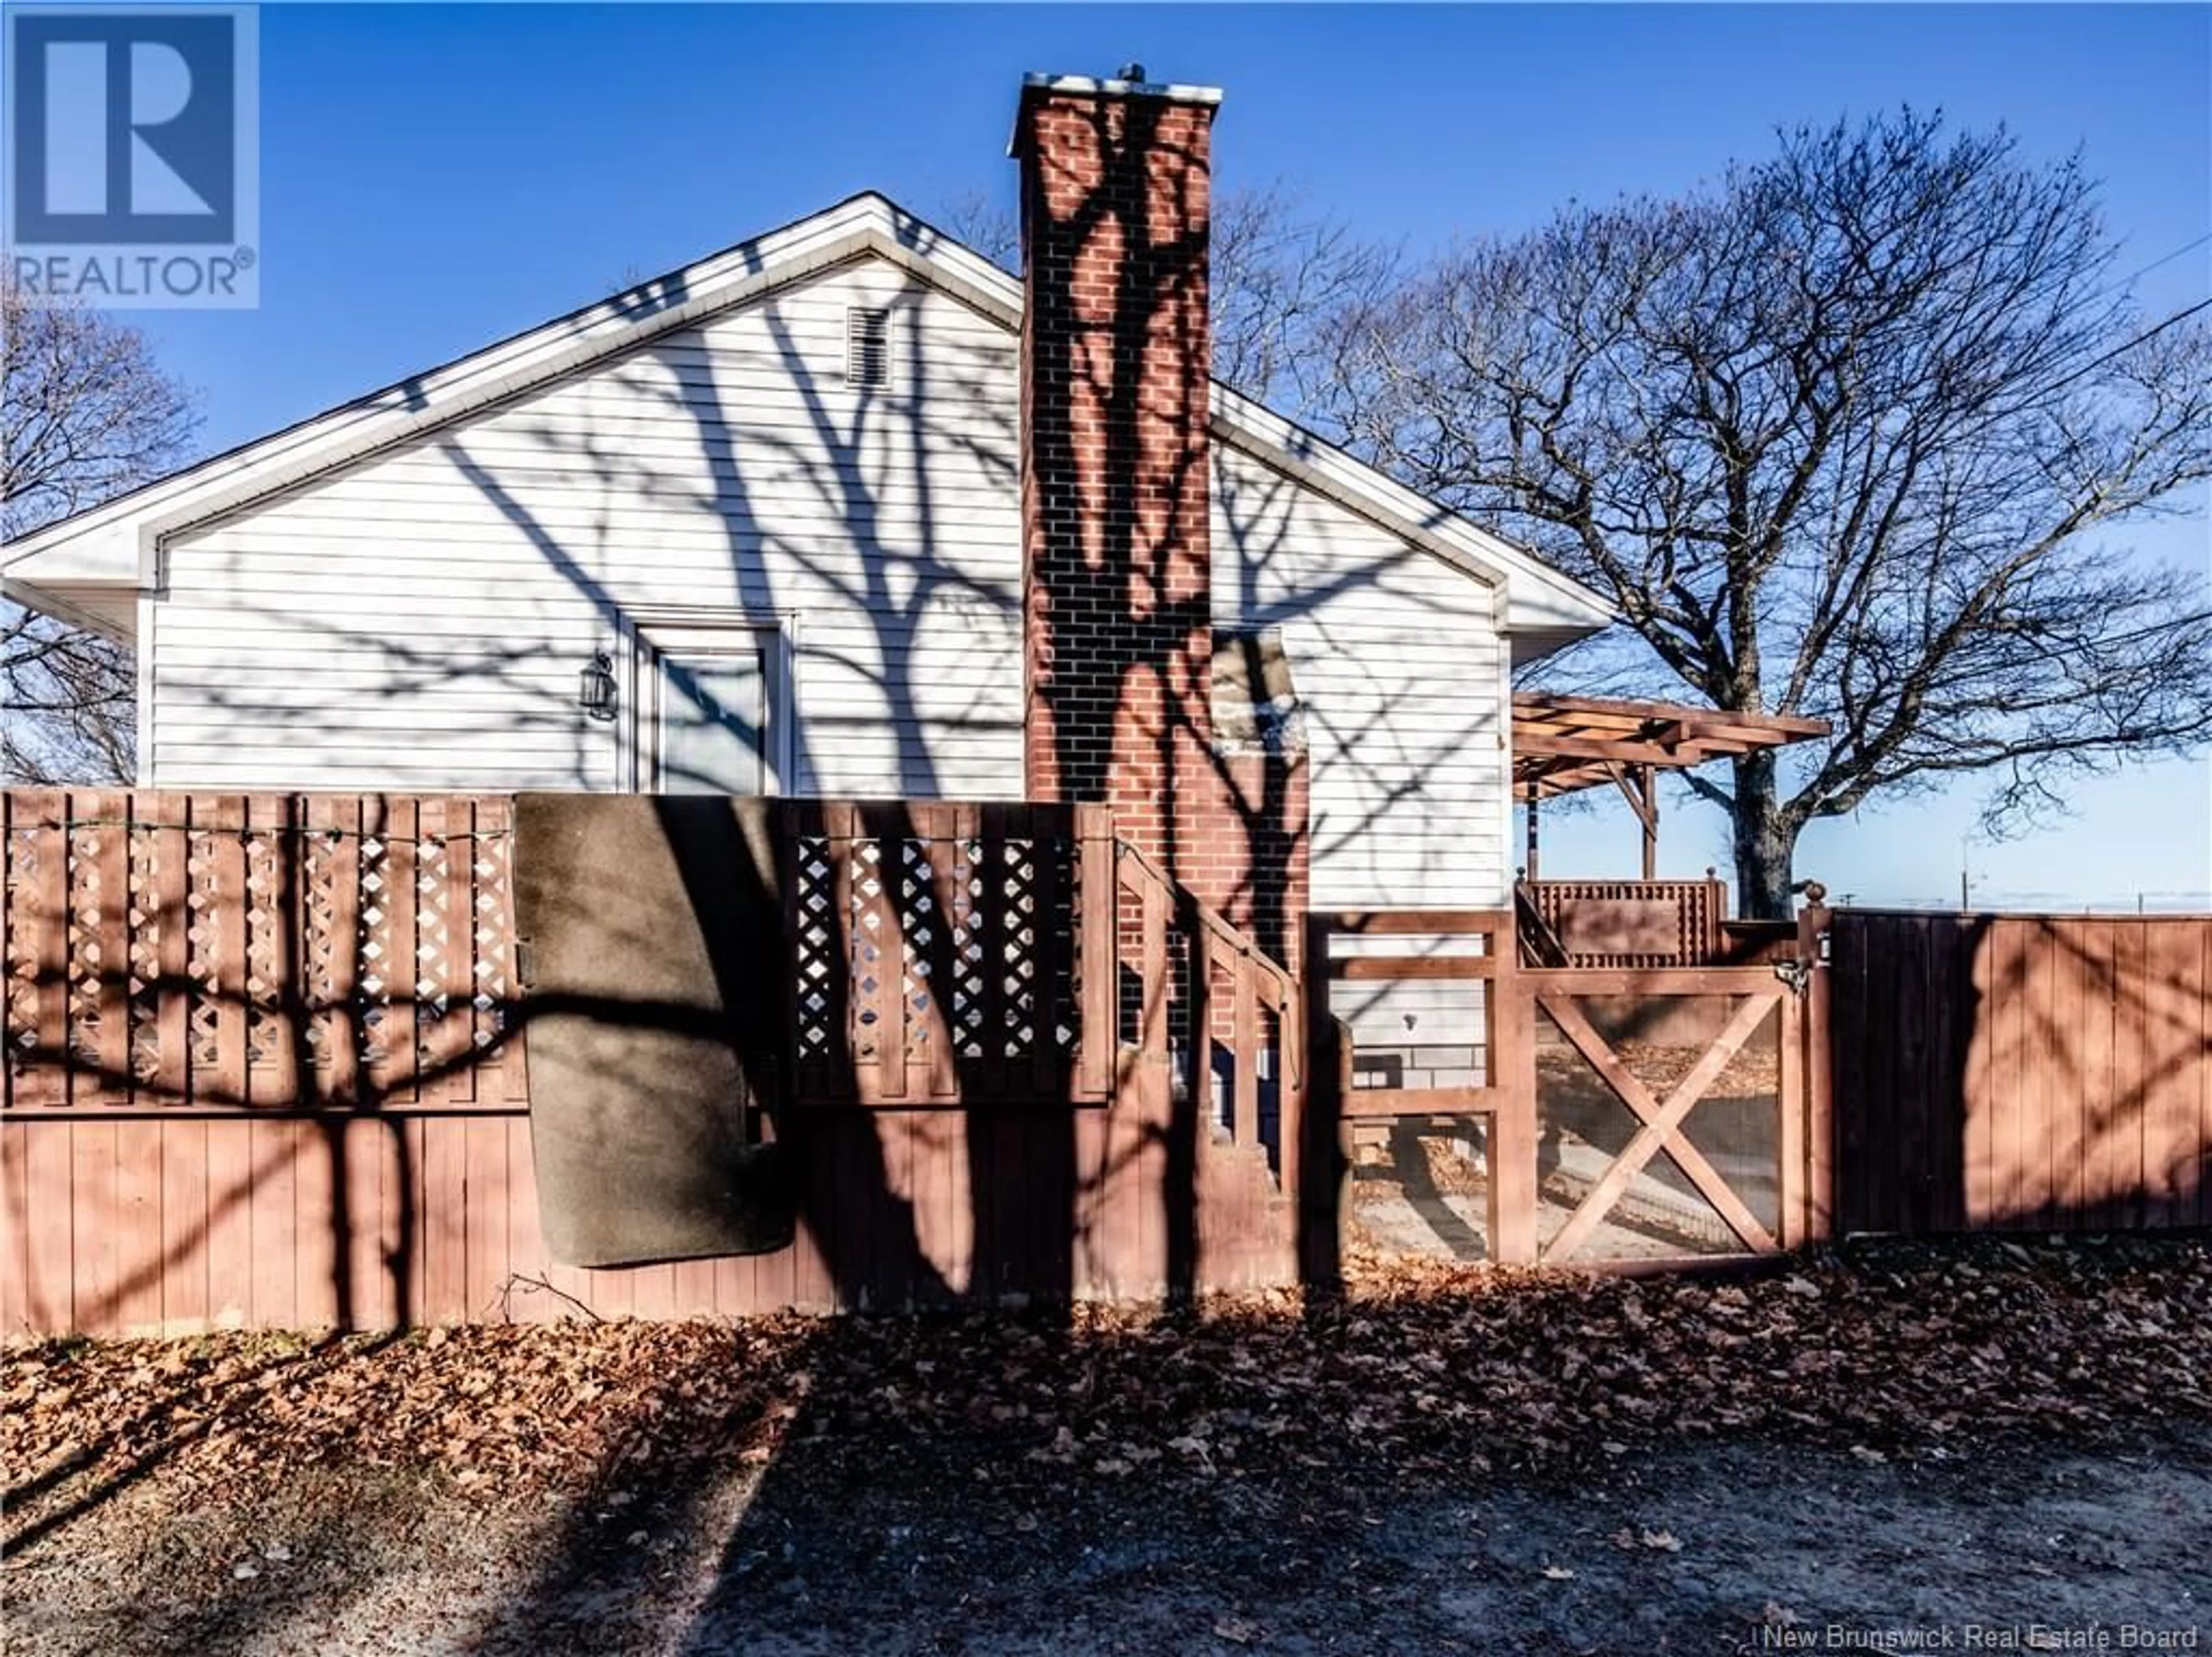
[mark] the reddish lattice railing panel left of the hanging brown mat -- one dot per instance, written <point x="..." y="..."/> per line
<point x="191" y="952"/>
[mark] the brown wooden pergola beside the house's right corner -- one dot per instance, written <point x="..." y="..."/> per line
<point x="1565" y="744"/>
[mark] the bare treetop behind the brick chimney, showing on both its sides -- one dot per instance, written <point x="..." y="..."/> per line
<point x="1284" y="273"/>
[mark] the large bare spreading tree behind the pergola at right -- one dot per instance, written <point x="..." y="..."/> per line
<point x="1850" y="435"/>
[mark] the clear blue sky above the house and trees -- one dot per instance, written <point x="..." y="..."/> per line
<point x="444" y="176"/>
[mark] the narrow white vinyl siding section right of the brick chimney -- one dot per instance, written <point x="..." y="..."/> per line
<point x="1399" y="671"/>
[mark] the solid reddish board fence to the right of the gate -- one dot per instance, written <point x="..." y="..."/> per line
<point x="2023" y="1072"/>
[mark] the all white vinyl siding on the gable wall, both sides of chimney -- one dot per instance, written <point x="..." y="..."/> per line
<point x="419" y="618"/>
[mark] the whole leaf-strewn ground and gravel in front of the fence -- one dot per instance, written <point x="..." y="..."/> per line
<point x="1479" y="1468"/>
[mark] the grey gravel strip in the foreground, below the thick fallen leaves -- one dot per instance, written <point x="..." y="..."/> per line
<point x="1738" y="1547"/>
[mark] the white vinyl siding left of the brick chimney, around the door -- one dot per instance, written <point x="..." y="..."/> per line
<point x="419" y="621"/>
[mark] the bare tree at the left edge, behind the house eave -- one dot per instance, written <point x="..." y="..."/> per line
<point x="85" y="413"/>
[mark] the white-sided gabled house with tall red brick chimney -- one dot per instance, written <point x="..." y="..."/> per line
<point x="797" y="501"/>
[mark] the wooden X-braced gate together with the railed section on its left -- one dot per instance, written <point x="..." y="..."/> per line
<point x="1567" y="1116"/>
